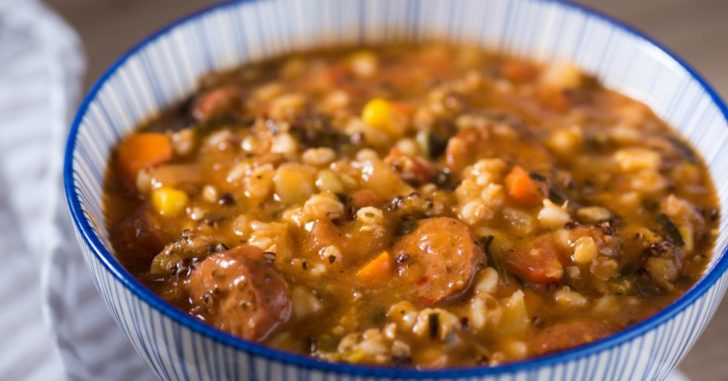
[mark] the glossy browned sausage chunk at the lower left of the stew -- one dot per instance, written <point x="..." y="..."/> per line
<point x="242" y="291"/>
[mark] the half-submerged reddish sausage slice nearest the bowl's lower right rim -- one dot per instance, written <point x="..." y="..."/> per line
<point x="562" y="336"/>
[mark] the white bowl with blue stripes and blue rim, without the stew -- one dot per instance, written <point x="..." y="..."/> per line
<point x="165" y="67"/>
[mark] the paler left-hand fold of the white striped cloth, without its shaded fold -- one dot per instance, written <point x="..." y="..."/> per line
<point x="40" y="66"/>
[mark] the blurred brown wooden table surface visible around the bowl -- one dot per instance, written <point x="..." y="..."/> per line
<point x="695" y="29"/>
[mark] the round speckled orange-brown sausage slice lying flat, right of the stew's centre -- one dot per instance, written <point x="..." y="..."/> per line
<point x="438" y="260"/>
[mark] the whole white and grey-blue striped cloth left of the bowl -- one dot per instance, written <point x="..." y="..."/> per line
<point x="40" y="71"/>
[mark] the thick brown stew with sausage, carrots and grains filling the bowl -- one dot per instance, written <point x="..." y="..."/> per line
<point x="423" y="206"/>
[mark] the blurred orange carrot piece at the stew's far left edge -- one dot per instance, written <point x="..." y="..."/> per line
<point x="143" y="150"/>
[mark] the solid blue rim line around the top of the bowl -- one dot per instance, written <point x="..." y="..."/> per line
<point x="140" y="291"/>
